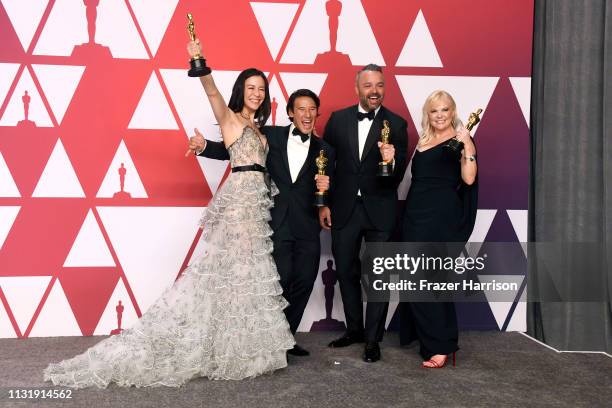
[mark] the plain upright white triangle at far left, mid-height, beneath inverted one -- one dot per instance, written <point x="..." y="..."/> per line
<point x="58" y="179"/>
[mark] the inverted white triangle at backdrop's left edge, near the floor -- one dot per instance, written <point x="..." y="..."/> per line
<point x="23" y="294"/>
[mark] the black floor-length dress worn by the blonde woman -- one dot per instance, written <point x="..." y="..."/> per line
<point x="439" y="208"/>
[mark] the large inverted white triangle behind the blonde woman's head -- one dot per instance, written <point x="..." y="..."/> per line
<point x="469" y="93"/>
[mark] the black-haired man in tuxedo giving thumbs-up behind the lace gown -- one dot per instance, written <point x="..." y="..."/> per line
<point x="295" y="222"/>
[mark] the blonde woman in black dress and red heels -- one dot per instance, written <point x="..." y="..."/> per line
<point x="440" y="207"/>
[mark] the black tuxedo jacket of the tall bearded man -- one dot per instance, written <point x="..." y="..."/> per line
<point x="352" y="173"/>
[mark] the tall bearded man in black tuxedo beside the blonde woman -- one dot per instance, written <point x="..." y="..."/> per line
<point x="363" y="206"/>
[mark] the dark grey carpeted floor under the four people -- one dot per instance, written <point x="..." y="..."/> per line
<point x="494" y="369"/>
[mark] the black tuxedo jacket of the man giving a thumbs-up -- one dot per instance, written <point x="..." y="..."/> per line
<point x="294" y="203"/>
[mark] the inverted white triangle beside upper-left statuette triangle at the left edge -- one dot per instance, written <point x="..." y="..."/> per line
<point x="59" y="82"/>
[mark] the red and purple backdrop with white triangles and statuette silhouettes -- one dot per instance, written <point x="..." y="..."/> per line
<point x="99" y="208"/>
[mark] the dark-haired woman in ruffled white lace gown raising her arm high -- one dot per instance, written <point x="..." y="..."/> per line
<point x="223" y="318"/>
